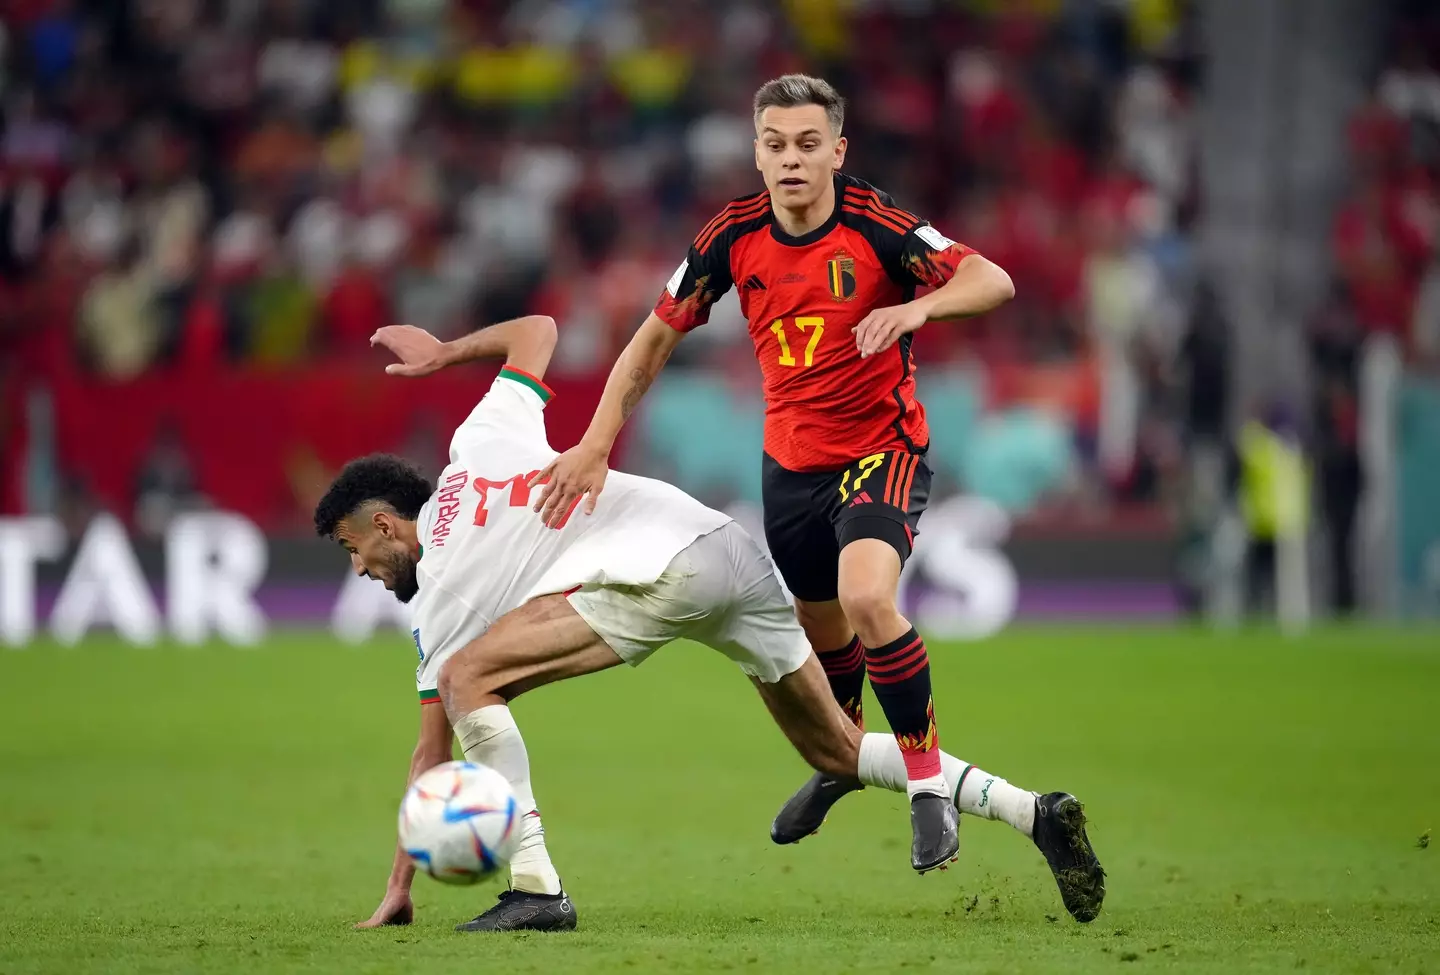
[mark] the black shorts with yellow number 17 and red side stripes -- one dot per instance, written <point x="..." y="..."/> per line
<point x="811" y="516"/>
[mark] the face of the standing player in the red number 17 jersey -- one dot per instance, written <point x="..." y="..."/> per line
<point x="798" y="155"/>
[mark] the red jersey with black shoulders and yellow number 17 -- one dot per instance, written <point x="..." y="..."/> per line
<point x="824" y="405"/>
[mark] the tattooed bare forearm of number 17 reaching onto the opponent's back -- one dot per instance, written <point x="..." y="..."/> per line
<point x="580" y="473"/>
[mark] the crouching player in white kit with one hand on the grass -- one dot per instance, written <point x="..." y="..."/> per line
<point x="503" y="604"/>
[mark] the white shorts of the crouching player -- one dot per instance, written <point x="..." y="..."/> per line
<point x="719" y="591"/>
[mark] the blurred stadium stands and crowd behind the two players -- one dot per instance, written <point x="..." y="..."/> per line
<point x="210" y="207"/>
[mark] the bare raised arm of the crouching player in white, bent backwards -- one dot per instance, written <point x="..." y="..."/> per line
<point x="525" y="343"/>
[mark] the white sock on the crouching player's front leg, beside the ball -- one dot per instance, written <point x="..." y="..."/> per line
<point x="490" y="737"/>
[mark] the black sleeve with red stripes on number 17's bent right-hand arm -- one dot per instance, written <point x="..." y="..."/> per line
<point x="912" y="251"/>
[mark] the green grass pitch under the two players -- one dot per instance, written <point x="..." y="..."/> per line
<point x="1259" y="804"/>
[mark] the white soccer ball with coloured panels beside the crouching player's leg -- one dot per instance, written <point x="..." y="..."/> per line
<point x="460" y="823"/>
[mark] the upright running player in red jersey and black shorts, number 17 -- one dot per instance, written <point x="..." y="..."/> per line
<point x="827" y="269"/>
